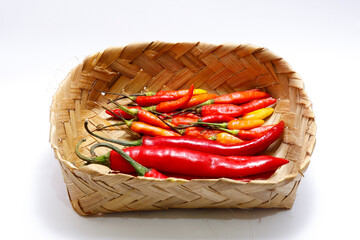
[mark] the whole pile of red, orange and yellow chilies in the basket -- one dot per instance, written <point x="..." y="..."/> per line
<point x="193" y="134"/>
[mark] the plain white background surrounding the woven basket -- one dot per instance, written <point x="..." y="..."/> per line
<point x="40" y="41"/>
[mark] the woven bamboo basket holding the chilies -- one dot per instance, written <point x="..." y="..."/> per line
<point x="154" y="66"/>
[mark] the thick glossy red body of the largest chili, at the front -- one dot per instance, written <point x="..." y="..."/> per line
<point x="200" y="164"/>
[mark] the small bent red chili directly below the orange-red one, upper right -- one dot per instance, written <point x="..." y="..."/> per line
<point x="235" y="110"/>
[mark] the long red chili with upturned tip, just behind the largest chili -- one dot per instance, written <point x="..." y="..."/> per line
<point x="245" y="148"/>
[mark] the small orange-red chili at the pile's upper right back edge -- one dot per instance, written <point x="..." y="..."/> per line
<point x="241" y="97"/>
